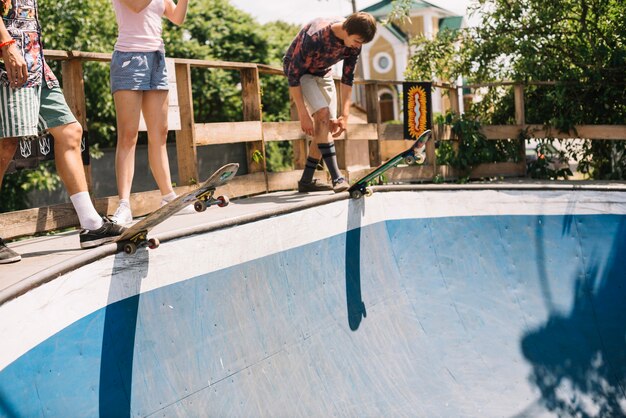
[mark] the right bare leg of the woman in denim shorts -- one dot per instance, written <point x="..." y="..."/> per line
<point x="155" y="106"/>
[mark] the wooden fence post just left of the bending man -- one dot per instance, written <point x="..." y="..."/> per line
<point x="251" y="96"/>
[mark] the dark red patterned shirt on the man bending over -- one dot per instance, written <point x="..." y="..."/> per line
<point x="315" y="50"/>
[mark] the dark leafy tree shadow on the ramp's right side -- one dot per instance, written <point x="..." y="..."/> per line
<point x="579" y="360"/>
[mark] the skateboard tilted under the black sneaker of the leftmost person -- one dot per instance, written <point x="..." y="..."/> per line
<point x="136" y="236"/>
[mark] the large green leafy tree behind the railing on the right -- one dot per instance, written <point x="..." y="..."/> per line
<point x="579" y="44"/>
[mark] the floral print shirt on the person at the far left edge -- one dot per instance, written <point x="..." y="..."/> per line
<point x="21" y="20"/>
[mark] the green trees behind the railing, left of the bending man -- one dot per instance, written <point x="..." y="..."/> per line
<point x="213" y="30"/>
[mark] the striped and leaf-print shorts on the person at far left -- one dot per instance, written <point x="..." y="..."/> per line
<point x="28" y="111"/>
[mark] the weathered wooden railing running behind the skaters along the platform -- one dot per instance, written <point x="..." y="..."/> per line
<point x="362" y="146"/>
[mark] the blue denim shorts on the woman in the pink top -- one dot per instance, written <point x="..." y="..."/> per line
<point x="138" y="71"/>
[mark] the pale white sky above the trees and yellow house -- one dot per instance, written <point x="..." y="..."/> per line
<point x="302" y="11"/>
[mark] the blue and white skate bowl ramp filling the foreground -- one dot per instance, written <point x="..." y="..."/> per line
<point x="413" y="303"/>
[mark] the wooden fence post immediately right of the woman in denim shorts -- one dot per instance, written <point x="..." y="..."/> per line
<point x="186" y="138"/>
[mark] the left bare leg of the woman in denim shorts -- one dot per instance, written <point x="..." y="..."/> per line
<point x="127" y="108"/>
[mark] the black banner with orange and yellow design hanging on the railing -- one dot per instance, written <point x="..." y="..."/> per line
<point x="417" y="108"/>
